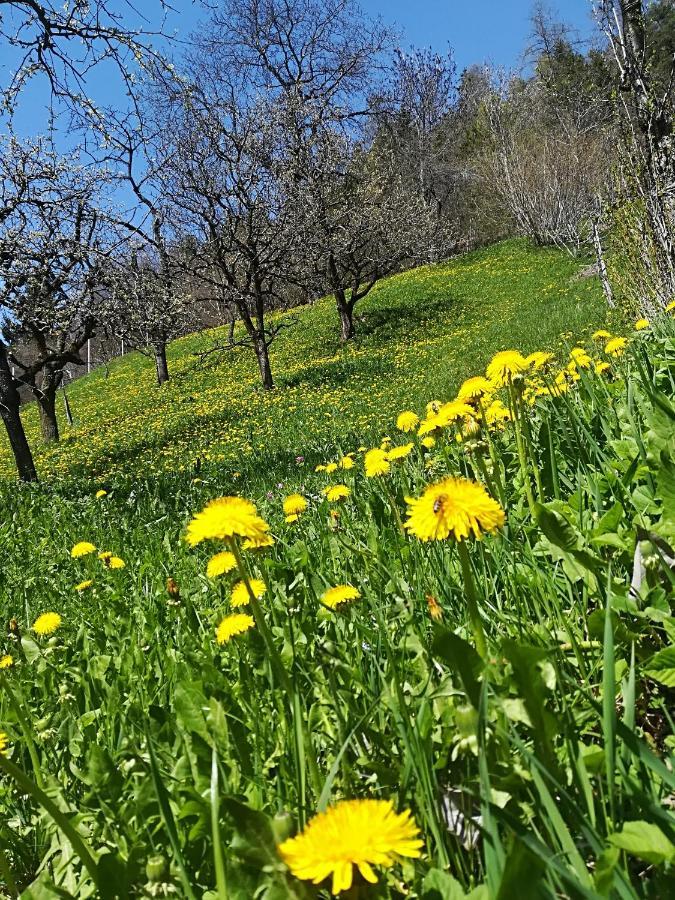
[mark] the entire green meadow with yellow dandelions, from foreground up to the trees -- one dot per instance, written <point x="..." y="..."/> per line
<point x="422" y="643"/>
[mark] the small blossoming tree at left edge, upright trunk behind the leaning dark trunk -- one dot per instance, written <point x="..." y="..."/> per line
<point x="51" y="249"/>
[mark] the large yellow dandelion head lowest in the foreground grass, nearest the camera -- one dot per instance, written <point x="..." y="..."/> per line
<point x="359" y="833"/>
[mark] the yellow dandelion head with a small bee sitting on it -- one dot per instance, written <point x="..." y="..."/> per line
<point x="453" y="506"/>
